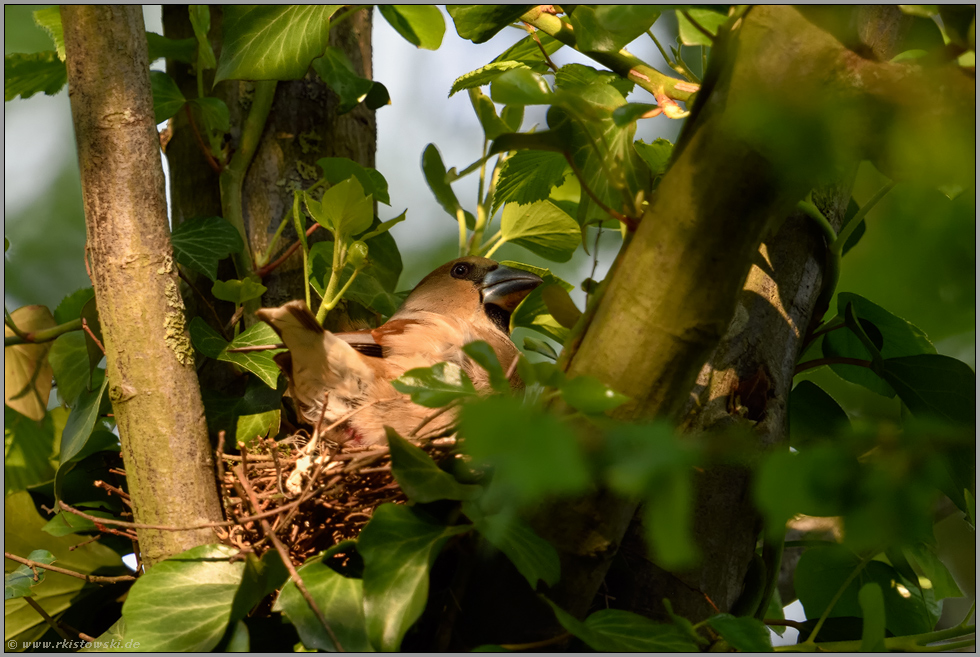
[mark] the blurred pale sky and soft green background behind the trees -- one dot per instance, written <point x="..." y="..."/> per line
<point x="917" y="258"/>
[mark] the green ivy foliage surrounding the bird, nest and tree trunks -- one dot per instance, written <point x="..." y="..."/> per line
<point x="879" y="475"/>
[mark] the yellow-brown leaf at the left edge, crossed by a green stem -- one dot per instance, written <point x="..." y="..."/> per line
<point x="26" y="370"/>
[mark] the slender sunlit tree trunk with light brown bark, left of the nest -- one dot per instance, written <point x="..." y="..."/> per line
<point x="153" y="387"/>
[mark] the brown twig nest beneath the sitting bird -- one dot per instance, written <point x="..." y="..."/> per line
<point x="313" y="493"/>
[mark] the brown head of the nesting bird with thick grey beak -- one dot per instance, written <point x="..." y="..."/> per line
<point x="471" y="285"/>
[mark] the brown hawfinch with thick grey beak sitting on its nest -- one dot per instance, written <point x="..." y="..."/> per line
<point x="467" y="299"/>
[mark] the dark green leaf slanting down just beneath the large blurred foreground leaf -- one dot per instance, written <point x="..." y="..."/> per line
<point x="534" y="557"/>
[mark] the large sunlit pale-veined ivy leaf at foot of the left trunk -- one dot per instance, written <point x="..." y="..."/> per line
<point x="183" y="604"/>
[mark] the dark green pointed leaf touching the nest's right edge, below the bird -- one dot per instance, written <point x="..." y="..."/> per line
<point x="419" y="476"/>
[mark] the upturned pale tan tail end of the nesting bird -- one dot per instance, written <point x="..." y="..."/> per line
<point x="318" y="363"/>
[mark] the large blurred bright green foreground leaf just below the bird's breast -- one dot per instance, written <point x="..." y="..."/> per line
<point x="516" y="440"/>
